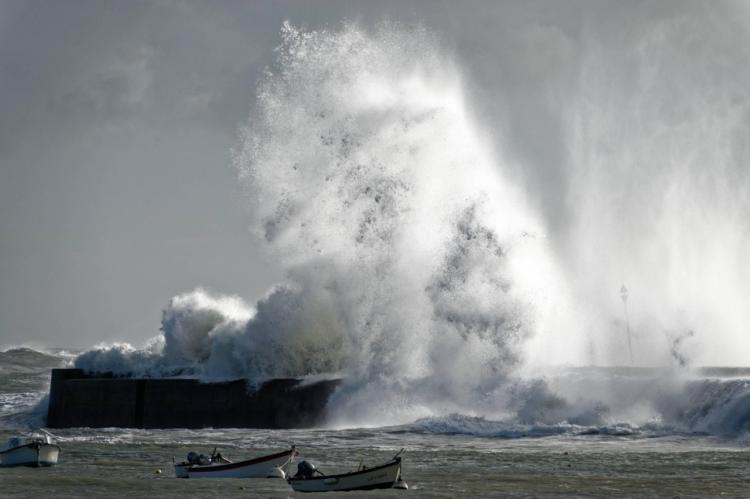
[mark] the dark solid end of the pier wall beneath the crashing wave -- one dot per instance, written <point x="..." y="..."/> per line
<point x="78" y="399"/>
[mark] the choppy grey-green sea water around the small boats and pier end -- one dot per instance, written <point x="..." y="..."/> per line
<point x="449" y="456"/>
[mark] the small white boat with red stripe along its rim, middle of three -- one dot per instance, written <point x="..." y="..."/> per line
<point x="217" y="466"/>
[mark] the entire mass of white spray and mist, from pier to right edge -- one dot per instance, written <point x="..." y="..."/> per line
<point x="422" y="267"/>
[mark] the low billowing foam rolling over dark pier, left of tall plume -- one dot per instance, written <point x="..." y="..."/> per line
<point x="220" y="337"/>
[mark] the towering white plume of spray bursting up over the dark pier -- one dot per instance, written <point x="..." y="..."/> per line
<point x="414" y="267"/>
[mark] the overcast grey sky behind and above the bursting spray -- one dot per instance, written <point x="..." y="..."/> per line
<point x="117" y="119"/>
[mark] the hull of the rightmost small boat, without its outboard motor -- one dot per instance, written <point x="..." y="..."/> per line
<point x="381" y="477"/>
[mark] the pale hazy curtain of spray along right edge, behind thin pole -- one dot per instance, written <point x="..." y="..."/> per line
<point x="657" y="131"/>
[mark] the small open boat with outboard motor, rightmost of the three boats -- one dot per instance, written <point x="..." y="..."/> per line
<point x="385" y="476"/>
